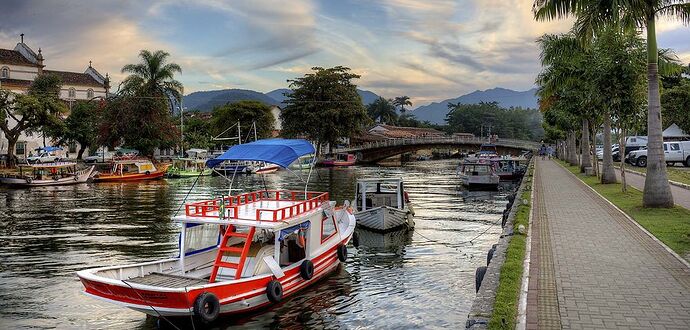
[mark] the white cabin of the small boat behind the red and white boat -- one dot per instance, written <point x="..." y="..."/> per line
<point x="379" y="192"/>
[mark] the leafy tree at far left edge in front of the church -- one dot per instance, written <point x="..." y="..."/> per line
<point x="39" y="110"/>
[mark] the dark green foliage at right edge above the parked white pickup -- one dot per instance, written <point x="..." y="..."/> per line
<point x="675" y="103"/>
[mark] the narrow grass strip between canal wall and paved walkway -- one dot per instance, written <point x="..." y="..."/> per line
<point x="508" y="292"/>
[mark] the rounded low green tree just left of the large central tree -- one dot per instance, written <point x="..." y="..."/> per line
<point x="247" y="113"/>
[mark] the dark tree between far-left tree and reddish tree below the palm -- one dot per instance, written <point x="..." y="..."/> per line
<point x="81" y="126"/>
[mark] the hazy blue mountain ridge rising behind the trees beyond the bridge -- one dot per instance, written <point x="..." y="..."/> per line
<point x="436" y="112"/>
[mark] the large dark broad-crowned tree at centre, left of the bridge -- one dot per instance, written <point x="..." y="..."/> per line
<point x="324" y="106"/>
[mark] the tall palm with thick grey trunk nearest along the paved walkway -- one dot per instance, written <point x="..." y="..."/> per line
<point x="593" y="15"/>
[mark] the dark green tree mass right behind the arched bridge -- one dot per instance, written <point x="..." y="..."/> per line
<point x="513" y="123"/>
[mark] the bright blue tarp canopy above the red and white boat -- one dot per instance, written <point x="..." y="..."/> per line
<point x="281" y="152"/>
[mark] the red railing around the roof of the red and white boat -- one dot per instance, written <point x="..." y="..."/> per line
<point x="305" y="203"/>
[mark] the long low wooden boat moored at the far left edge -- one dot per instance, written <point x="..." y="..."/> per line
<point x="48" y="174"/>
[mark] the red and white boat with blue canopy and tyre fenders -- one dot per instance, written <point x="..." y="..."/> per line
<point x="236" y="253"/>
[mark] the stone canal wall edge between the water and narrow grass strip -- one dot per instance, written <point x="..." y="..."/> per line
<point x="483" y="304"/>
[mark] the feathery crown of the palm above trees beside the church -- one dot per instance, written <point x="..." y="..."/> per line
<point x="153" y="76"/>
